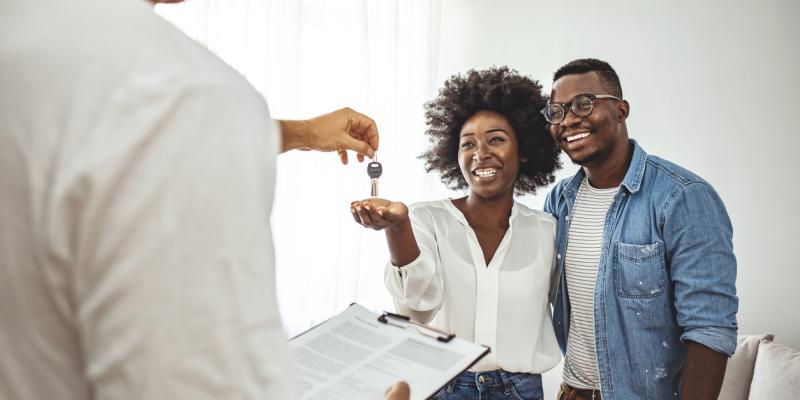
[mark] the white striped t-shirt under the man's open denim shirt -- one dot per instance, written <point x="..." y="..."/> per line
<point x="584" y="245"/>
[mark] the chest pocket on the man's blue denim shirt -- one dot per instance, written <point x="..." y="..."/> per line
<point x="639" y="270"/>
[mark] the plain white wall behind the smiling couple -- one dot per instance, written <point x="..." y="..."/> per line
<point x="713" y="86"/>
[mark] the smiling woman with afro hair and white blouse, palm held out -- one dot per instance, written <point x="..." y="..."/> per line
<point x="481" y="265"/>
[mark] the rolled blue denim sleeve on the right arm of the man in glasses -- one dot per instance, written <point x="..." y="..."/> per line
<point x="699" y="239"/>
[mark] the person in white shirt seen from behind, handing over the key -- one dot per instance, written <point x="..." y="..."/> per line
<point x="136" y="182"/>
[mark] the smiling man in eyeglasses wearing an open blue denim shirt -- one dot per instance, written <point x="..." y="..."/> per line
<point x="645" y="306"/>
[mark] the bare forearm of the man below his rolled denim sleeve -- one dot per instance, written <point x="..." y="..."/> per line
<point x="703" y="373"/>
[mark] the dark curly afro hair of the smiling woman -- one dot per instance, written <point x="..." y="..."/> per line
<point x="506" y="92"/>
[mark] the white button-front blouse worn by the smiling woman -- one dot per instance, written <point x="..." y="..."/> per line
<point x="503" y="305"/>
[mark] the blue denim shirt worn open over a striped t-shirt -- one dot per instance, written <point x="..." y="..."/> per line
<point x="667" y="275"/>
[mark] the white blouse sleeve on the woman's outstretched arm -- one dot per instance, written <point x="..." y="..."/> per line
<point x="418" y="287"/>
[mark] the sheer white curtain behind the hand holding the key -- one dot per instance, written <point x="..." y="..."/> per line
<point x="310" y="57"/>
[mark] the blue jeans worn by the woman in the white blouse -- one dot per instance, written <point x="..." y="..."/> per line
<point x="491" y="385"/>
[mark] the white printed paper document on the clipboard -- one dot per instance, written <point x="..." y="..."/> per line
<point x="355" y="356"/>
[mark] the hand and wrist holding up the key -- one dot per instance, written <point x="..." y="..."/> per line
<point x="338" y="131"/>
